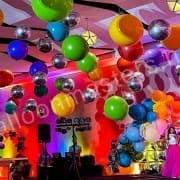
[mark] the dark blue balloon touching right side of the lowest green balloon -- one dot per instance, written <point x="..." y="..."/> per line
<point x="137" y="112"/>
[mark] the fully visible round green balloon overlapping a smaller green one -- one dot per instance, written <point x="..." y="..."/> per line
<point x="75" y="47"/>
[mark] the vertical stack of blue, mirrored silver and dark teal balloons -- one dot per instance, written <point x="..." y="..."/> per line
<point x="39" y="71"/>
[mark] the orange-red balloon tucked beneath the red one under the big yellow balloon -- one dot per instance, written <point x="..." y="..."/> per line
<point x="124" y="64"/>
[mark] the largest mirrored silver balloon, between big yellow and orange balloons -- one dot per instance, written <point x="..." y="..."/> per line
<point x="159" y="29"/>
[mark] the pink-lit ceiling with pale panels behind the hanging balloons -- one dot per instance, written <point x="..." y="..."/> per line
<point x="19" y="12"/>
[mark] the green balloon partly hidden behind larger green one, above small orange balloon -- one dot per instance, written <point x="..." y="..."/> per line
<point x="88" y="63"/>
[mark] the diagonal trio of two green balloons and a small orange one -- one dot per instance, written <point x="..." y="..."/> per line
<point x="76" y="48"/>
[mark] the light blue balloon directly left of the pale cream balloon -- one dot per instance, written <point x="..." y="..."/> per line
<point x="133" y="134"/>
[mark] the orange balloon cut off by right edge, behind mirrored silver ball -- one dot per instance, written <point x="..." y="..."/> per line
<point x="172" y="42"/>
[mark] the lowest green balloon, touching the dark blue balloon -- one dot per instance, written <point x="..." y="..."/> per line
<point x="115" y="108"/>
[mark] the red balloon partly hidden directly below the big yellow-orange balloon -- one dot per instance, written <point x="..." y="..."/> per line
<point x="131" y="52"/>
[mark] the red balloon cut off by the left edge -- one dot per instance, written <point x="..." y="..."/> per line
<point x="6" y="77"/>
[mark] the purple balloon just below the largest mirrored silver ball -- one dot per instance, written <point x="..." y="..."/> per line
<point x="153" y="57"/>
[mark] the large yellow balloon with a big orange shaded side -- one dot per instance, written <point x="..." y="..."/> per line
<point x="125" y="30"/>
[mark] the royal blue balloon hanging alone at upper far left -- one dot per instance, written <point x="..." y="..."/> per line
<point x="17" y="49"/>
